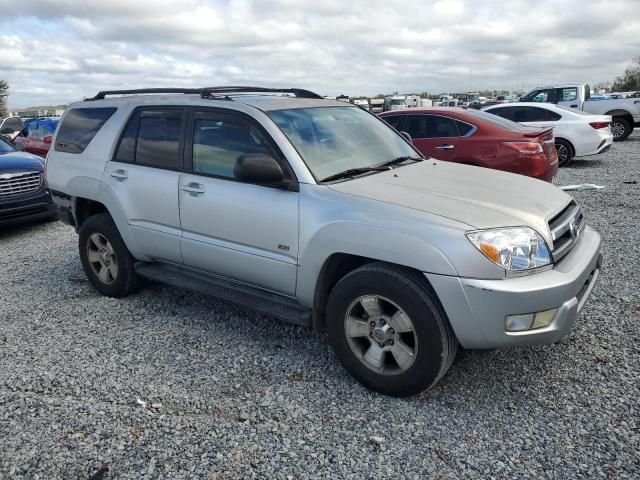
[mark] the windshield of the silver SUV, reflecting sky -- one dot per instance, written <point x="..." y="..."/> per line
<point x="331" y="140"/>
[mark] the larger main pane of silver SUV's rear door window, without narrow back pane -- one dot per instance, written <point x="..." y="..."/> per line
<point x="158" y="141"/>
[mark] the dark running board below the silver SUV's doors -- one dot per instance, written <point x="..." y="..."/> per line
<point x="252" y="298"/>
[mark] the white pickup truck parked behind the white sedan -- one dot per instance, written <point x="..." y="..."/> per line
<point x="625" y="112"/>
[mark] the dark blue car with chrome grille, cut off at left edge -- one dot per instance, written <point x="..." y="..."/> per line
<point x="23" y="195"/>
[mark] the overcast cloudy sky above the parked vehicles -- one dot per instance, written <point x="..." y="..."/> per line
<point x="58" y="51"/>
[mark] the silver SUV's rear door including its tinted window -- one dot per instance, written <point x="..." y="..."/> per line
<point x="144" y="174"/>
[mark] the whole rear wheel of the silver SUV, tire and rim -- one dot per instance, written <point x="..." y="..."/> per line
<point x="105" y="257"/>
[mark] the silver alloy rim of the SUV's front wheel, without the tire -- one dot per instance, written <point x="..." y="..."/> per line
<point x="381" y="335"/>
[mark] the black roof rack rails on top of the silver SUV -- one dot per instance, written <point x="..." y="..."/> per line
<point x="207" y="92"/>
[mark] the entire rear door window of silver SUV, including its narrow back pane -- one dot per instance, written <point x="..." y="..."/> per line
<point x="152" y="138"/>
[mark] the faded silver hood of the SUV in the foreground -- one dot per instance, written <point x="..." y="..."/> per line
<point x="478" y="197"/>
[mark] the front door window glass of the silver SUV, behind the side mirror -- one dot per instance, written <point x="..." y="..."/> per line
<point x="219" y="142"/>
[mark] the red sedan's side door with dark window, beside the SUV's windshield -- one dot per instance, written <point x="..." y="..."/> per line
<point x="435" y="136"/>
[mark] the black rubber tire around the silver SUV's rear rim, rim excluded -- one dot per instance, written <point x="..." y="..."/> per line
<point x="124" y="281"/>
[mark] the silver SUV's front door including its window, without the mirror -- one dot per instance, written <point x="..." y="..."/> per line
<point x="241" y="231"/>
